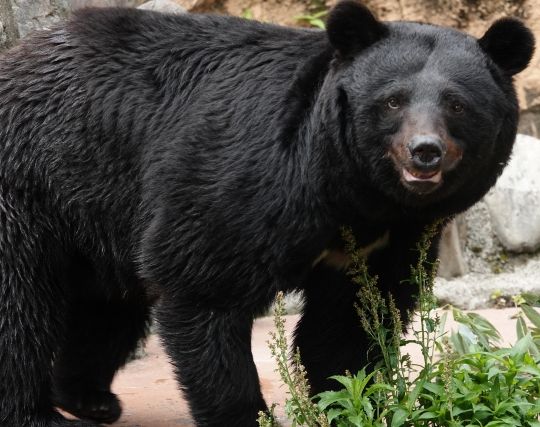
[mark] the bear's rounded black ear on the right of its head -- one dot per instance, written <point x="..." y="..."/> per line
<point x="510" y="44"/>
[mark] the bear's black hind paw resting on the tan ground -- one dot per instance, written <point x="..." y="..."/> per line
<point x="99" y="406"/>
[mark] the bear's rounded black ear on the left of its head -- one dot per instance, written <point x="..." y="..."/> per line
<point x="351" y="27"/>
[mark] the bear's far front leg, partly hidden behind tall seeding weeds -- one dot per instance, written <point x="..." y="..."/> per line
<point x="329" y="335"/>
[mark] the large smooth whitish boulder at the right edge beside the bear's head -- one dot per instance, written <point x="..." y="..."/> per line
<point x="514" y="202"/>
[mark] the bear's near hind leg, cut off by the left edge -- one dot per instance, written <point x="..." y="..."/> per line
<point x="32" y="309"/>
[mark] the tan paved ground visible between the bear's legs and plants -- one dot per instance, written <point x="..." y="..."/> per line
<point x="151" y="399"/>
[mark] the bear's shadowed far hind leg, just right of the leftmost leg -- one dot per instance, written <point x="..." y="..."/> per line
<point x="103" y="332"/>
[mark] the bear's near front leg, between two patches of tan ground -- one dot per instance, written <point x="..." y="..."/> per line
<point x="211" y="352"/>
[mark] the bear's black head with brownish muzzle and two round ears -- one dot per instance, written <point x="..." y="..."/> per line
<point x="431" y="112"/>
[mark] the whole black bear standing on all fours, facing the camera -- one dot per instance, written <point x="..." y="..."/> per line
<point x="200" y="164"/>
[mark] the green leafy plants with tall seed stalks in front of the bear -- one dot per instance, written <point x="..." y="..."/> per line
<point x="466" y="378"/>
